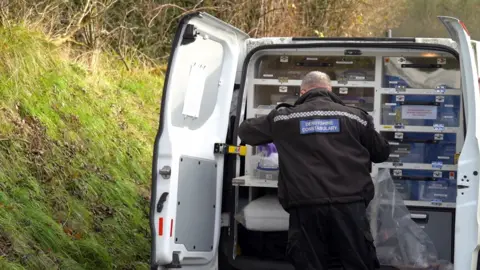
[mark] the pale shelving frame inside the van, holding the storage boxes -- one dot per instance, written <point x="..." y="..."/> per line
<point x="419" y="208"/>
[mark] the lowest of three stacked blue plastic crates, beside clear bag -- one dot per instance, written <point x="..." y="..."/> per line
<point x="425" y="185"/>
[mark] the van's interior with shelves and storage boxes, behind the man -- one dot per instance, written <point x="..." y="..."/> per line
<point x="414" y="97"/>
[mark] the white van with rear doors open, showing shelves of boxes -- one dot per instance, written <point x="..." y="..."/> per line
<point x="217" y="76"/>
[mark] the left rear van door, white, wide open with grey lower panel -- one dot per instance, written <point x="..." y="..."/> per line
<point x="187" y="176"/>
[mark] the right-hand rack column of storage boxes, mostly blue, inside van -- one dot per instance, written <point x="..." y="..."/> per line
<point x="420" y="114"/>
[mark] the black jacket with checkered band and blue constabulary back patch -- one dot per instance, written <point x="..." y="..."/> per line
<point x="325" y="149"/>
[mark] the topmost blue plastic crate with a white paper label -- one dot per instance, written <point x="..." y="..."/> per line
<point x="421" y="110"/>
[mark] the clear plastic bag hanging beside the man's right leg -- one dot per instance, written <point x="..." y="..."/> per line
<point x="399" y="241"/>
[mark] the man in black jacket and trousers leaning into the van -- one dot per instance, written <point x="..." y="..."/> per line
<point x="325" y="152"/>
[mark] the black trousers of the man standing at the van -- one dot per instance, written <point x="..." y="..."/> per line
<point x="318" y="231"/>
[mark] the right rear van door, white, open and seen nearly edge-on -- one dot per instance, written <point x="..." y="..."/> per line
<point x="467" y="217"/>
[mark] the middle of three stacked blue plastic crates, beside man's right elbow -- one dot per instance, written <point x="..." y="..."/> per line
<point x="420" y="147"/>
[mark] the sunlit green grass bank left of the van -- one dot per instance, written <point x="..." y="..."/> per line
<point x="75" y="158"/>
